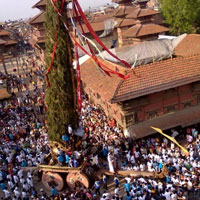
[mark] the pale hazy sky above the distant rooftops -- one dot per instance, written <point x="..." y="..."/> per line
<point x="17" y="9"/>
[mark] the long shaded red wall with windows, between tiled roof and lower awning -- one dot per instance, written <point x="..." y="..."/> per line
<point x="161" y="103"/>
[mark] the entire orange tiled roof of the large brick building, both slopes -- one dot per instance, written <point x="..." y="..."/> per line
<point x="149" y="78"/>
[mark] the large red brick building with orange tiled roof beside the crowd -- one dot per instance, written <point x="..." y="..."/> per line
<point x="163" y="94"/>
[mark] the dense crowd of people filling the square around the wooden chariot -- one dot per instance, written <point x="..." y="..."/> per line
<point x="24" y="144"/>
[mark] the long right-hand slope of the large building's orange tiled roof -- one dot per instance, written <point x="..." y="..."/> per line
<point x="159" y="76"/>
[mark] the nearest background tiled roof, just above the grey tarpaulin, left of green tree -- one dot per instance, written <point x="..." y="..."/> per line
<point x="144" y="29"/>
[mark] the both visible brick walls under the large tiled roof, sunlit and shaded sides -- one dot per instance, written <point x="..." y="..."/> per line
<point x="148" y="107"/>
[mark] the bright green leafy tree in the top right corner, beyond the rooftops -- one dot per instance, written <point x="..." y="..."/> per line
<point x="181" y="15"/>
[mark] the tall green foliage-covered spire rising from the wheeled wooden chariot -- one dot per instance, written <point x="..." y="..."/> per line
<point x="60" y="96"/>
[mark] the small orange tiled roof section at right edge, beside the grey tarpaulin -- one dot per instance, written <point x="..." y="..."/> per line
<point x="190" y="45"/>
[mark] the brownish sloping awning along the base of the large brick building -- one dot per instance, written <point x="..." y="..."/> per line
<point x="186" y="117"/>
